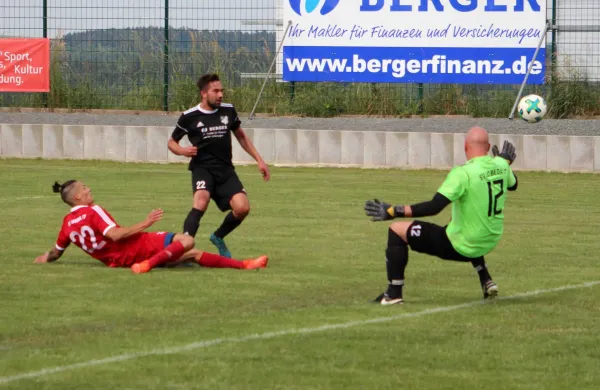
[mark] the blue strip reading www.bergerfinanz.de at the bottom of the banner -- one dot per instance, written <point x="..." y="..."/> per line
<point x="412" y="65"/>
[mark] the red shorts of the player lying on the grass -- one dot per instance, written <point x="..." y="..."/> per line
<point x="138" y="248"/>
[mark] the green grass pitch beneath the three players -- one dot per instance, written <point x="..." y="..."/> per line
<point x="326" y="263"/>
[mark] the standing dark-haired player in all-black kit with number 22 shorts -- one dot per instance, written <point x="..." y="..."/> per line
<point x="208" y="127"/>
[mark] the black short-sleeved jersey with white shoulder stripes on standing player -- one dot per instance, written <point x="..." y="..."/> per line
<point x="210" y="132"/>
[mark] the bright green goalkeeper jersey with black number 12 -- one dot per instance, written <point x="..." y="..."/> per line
<point x="477" y="190"/>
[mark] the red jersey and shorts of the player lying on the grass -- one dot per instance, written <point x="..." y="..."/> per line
<point x="86" y="227"/>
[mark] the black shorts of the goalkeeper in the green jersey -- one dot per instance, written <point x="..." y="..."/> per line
<point x="431" y="239"/>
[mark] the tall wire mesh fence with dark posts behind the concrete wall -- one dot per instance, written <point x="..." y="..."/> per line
<point x="147" y="55"/>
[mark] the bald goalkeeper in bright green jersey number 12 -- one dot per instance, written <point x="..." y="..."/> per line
<point x="477" y="191"/>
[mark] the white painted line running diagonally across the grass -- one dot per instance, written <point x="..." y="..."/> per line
<point x="270" y="335"/>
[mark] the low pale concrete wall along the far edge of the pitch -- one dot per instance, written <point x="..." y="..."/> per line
<point x="298" y="147"/>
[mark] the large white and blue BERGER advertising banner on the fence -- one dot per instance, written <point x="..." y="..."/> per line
<point x="414" y="41"/>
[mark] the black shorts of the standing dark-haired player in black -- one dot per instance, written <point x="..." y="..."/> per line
<point x="221" y="183"/>
